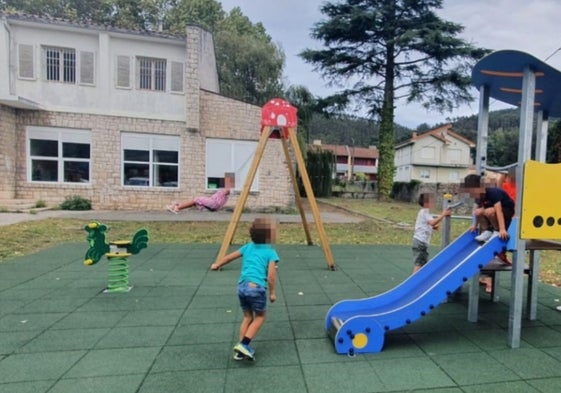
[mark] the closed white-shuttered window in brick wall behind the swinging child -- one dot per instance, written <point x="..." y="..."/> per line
<point x="230" y="156"/>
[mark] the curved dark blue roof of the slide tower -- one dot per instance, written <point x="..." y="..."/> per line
<point x="502" y="71"/>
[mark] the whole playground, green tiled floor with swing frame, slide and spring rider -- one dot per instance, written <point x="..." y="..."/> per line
<point x="167" y="323"/>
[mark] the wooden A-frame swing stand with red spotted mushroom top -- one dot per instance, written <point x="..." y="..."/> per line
<point x="279" y="121"/>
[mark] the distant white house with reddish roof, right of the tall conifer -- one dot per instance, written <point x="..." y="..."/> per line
<point x="437" y="156"/>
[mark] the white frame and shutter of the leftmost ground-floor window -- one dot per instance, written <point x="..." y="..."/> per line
<point x="61" y="136"/>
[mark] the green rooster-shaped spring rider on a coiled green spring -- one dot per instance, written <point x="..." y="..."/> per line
<point x="116" y="252"/>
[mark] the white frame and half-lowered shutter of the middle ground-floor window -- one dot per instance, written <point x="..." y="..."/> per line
<point x="150" y="143"/>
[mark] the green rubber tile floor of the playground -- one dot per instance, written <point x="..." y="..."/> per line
<point x="175" y="329"/>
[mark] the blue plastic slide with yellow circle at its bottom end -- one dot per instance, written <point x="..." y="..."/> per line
<point x="359" y="325"/>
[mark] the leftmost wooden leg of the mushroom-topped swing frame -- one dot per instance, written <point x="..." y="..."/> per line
<point x="244" y="194"/>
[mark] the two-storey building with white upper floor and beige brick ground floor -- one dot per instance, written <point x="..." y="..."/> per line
<point x="125" y="118"/>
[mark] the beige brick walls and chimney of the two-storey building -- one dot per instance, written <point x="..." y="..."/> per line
<point x="207" y="115"/>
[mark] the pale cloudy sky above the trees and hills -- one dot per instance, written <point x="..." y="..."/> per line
<point x="532" y="26"/>
